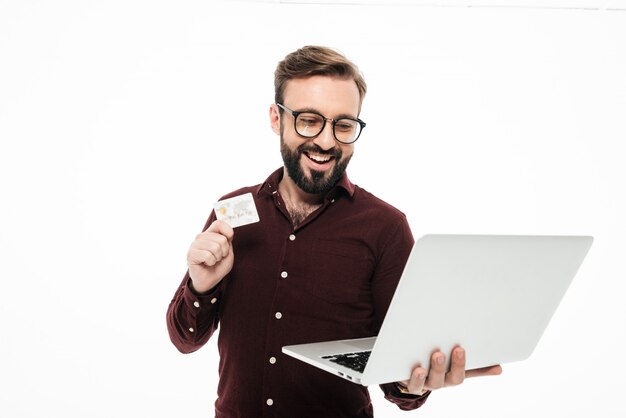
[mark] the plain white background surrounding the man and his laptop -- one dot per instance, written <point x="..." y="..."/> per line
<point x="122" y="121"/>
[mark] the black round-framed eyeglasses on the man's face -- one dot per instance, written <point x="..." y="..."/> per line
<point x="311" y="124"/>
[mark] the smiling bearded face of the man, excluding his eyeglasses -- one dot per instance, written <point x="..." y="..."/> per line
<point x="316" y="164"/>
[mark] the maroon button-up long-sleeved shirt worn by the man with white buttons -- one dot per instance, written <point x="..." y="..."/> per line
<point x="332" y="277"/>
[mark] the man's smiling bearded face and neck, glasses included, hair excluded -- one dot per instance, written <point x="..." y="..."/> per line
<point x="315" y="157"/>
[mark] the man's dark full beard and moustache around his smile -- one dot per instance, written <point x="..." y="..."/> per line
<point x="317" y="184"/>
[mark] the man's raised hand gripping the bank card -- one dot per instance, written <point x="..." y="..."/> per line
<point x="210" y="257"/>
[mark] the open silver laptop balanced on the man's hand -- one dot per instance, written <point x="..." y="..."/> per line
<point x="494" y="295"/>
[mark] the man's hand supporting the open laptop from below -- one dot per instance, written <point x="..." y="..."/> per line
<point x="421" y="382"/>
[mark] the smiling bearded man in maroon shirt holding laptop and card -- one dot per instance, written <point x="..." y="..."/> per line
<point x="322" y="263"/>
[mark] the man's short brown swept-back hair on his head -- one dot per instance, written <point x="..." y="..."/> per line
<point x="315" y="60"/>
